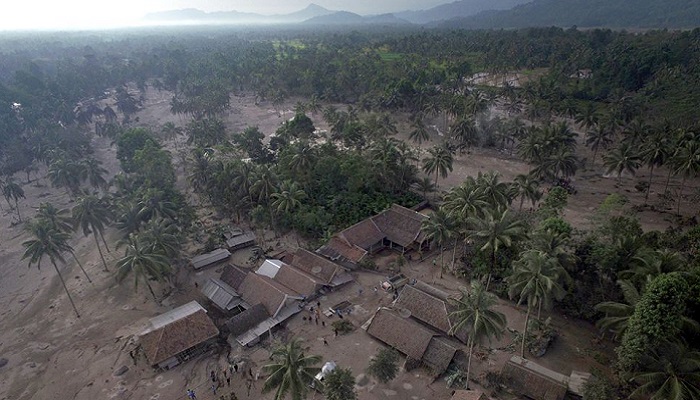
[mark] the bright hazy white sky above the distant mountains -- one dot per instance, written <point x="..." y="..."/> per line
<point x="48" y="14"/>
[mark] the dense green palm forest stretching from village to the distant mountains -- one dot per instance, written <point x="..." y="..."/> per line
<point x="634" y="95"/>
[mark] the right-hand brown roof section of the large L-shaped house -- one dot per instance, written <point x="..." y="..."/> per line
<point x="400" y="225"/>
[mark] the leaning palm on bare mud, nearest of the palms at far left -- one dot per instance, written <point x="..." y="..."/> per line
<point x="47" y="242"/>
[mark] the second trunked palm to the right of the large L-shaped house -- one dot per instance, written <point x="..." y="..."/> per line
<point x="496" y="229"/>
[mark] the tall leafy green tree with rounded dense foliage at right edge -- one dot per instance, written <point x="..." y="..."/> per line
<point x="657" y="316"/>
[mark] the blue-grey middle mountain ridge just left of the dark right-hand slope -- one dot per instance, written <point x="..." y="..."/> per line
<point x="462" y="8"/>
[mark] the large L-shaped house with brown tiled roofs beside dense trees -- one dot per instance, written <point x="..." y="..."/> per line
<point x="397" y="228"/>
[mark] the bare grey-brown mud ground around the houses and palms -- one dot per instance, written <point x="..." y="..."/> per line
<point x="51" y="354"/>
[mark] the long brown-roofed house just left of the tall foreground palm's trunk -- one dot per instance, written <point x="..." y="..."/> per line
<point x="421" y="345"/>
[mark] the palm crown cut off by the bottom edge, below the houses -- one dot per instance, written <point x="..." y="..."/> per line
<point x="291" y="371"/>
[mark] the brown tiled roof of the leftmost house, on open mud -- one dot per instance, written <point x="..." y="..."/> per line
<point x="165" y="342"/>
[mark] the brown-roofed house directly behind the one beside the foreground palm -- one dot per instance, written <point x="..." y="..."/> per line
<point x="430" y="306"/>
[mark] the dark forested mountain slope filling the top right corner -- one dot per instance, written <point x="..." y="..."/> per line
<point x="588" y="13"/>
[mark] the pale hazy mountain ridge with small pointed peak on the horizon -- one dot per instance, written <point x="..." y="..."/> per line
<point x="191" y="15"/>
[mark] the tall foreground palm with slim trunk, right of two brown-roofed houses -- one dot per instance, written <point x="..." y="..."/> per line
<point x="473" y="311"/>
